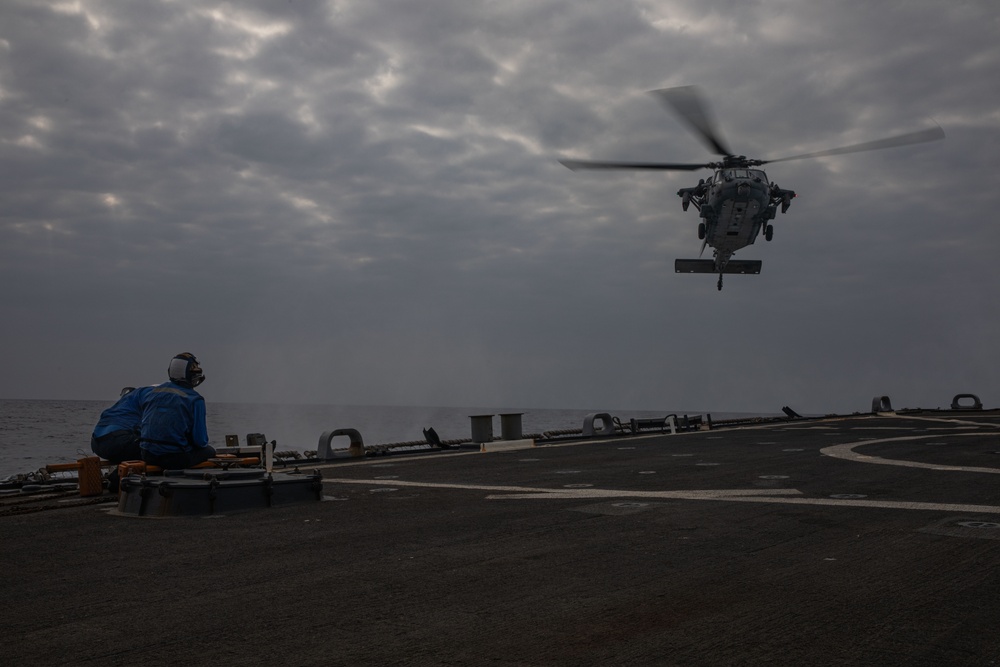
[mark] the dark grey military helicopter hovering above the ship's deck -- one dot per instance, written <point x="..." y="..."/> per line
<point x="738" y="201"/>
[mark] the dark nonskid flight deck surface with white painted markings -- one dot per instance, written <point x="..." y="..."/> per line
<point x="852" y="541"/>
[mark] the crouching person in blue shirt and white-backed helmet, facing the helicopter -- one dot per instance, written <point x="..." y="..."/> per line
<point x="174" y="435"/>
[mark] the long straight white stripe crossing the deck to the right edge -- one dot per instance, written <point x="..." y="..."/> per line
<point x="781" y="496"/>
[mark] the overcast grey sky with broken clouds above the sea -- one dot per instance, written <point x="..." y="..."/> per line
<point x="360" y="202"/>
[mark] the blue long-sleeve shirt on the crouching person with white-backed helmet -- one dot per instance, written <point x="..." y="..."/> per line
<point x="173" y="419"/>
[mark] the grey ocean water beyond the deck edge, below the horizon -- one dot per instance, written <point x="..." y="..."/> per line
<point x="34" y="433"/>
